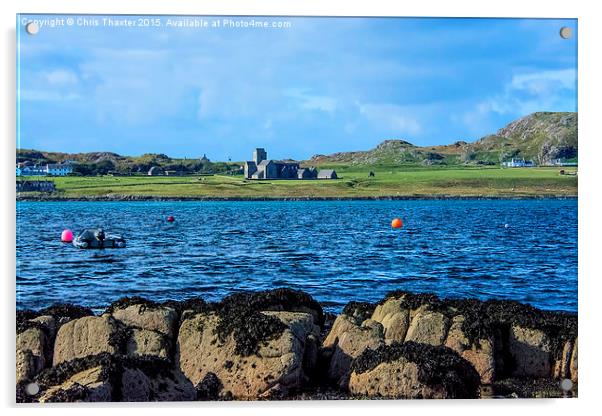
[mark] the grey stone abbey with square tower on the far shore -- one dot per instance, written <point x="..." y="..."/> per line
<point x="263" y="168"/>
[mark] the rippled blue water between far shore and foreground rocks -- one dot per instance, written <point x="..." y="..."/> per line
<point x="337" y="251"/>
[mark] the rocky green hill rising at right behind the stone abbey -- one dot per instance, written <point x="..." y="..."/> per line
<point x="541" y="137"/>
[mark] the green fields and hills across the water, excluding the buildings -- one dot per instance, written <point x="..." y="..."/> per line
<point x="400" y="169"/>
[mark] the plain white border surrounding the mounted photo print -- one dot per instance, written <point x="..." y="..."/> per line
<point x="589" y="189"/>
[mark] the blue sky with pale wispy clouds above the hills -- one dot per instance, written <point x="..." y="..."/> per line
<point x="323" y="85"/>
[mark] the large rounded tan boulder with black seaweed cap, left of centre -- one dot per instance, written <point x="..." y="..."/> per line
<point x="248" y="354"/>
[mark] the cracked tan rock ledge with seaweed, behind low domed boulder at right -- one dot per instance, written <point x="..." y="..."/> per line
<point x="499" y="338"/>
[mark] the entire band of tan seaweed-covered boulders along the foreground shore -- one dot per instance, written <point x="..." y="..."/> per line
<point x="281" y="345"/>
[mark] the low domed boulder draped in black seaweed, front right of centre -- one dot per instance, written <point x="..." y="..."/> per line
<point x="413" y="370"/>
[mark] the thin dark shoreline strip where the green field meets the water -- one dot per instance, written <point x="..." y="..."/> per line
<point x="133" y="198"/>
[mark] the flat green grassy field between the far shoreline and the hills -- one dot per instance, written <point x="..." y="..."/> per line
<point x="410" y="182"/>
